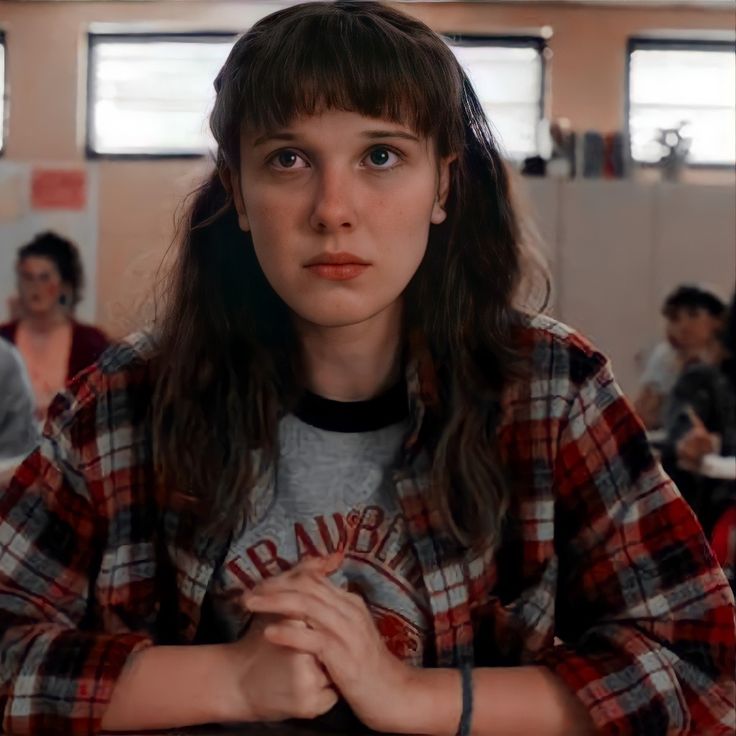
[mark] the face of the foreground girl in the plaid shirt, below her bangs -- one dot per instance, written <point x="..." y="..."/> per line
<point x="339" y="207"/>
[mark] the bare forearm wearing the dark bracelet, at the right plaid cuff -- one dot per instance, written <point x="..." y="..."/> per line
<point x="518" y="700"/>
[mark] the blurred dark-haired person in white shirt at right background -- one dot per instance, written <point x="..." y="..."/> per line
<point x="693" y="317"/>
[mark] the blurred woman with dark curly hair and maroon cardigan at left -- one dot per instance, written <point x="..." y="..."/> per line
<point x="54" y="346"/>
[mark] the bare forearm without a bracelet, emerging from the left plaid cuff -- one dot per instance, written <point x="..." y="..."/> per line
<point x="170" y="687"/>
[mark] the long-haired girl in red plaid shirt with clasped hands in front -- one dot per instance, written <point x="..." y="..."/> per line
<point x="346" y="473"/>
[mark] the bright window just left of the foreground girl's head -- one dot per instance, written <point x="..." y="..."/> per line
<point x="150" y="94"/>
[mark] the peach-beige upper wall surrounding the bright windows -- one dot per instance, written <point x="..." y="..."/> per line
<point x="45" y="68"/>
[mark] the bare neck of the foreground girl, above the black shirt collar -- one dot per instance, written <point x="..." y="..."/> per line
<point x="354" y="362"/>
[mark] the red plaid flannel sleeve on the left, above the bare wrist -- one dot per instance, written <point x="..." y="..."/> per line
<point x="56" y="673"/>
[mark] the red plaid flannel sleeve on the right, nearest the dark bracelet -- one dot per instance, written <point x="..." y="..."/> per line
<point x="644" y="613"/>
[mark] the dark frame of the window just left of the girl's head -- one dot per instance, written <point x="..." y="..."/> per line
<point x="93" y="39"/>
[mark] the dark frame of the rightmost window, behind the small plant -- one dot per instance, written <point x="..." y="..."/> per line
<point x="668" y="43"/>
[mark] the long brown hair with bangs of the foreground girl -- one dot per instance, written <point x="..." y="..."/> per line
<point x="225" y="369"/>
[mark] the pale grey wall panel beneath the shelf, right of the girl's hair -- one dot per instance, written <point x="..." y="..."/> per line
<point x="618" y="247"/>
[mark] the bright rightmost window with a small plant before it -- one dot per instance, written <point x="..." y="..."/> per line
<point x="671" y="82"/>
